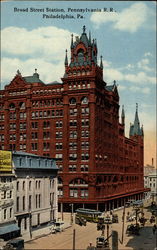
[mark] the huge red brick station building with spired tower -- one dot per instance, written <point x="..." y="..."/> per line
<point x="77" y="122"/>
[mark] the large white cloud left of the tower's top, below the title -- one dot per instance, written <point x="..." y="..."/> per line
<point x="43" y="41"/>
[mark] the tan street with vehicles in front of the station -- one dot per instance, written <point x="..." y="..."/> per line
<point x="87" y="234"/>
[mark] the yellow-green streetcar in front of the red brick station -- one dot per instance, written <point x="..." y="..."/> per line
<point x="90" y="215"/>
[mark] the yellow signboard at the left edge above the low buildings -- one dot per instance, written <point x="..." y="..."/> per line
<point x="5" y="161"/>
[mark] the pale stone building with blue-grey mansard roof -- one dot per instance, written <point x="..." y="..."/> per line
<point x="35" y="185"/>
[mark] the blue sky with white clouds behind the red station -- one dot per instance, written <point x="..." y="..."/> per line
<point x="126" y="38"/>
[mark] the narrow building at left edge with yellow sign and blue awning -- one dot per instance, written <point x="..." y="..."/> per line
<point x="8" y="226"/>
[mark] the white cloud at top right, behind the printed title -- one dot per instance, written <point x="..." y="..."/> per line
<point x="129" y="19"/>
